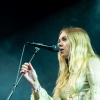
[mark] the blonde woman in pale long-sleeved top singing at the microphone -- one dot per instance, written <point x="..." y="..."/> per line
<point x="79" y="69"/>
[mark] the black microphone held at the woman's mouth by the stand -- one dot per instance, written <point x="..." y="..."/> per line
<point x="53" y="48"/>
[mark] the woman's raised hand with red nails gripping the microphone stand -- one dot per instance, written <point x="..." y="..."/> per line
<point x="30" y="74"/>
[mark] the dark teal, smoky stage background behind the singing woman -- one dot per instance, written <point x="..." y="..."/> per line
<point x="40" y="21"/>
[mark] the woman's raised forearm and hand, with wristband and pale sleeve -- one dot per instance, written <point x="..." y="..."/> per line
<point x="38" y="93"/>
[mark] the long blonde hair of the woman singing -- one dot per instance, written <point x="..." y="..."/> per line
<point x="81" y="50"/>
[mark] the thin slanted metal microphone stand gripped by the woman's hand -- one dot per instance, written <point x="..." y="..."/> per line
<point x="16" y="83"/>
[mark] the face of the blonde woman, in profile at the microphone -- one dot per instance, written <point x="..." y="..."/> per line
<point x="64" y="45"/>
